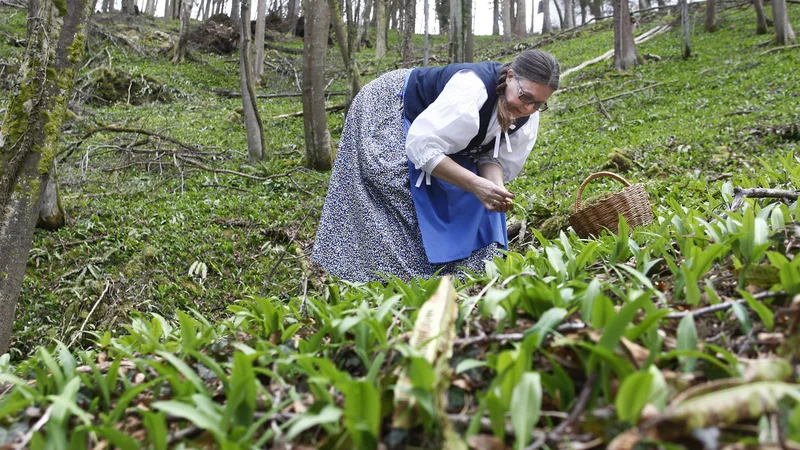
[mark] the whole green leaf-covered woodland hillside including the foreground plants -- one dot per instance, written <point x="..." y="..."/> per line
<point x="179" y="307"/>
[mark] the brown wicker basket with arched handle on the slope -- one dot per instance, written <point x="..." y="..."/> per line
<point x="632" y="202"/>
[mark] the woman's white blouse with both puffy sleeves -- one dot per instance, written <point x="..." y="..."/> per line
<point x="449" y="124"/>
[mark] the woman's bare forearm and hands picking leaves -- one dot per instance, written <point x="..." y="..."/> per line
<point x="493" y="196"/>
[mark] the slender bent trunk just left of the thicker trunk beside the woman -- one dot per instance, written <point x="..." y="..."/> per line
<point x="256" y="145"/>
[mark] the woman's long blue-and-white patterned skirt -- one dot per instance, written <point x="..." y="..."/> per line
<point x="368" y="224"/>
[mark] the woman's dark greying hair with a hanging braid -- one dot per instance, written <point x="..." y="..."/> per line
<point x="532" y="65"/>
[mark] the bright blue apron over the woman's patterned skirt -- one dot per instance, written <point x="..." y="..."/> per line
<point x="454" y="223"/>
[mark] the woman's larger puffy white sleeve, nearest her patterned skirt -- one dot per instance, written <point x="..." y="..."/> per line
<point x="449" y="123"/>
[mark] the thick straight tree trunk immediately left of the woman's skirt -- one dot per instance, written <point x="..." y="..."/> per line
<point x="315" y="123"/>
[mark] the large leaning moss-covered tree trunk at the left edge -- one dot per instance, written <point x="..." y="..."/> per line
<point x="29" y="135"/>
